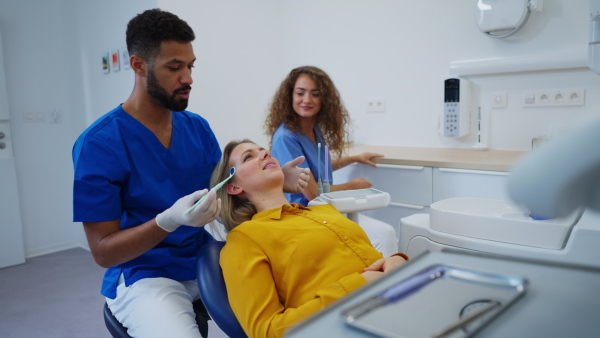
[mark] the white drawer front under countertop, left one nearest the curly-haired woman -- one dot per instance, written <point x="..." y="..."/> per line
<point x="405" y="184"/>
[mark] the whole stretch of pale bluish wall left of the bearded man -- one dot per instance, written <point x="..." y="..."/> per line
<point x="52" y="61"/>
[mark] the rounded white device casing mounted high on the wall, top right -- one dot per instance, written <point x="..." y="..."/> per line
<point x="499" y="15"/>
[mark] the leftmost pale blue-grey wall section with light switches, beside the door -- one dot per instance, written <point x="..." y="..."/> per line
<point x="41" y="66"/>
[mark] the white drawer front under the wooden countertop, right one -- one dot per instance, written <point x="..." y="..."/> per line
<point x="450" y="183"/>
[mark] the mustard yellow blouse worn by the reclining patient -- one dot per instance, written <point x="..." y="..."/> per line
<point x="287" y="263"/>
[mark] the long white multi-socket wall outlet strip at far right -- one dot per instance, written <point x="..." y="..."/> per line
<point x="553" y="97"/>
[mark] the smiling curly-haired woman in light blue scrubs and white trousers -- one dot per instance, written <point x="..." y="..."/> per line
<point x="307" y="110"/>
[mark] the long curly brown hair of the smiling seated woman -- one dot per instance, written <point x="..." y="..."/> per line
<point x="333" y="119"/>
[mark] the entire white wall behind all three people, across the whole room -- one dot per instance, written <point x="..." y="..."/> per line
<point x="400" y="50"/>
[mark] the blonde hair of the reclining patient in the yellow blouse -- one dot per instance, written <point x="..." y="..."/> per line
<point x="234" y="209"/>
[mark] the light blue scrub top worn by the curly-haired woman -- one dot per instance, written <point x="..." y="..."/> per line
<point x="287" y="145"/>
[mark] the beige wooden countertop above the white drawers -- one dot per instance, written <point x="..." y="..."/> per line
<point x="493" y="160"/>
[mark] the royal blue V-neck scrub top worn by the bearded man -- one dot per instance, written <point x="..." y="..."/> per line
<point x="123" y="172"/>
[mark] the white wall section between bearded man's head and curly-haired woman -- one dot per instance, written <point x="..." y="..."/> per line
<point x="239" y="50"/>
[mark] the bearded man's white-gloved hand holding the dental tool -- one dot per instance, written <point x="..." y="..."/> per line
<point x="205" y="212"/>
